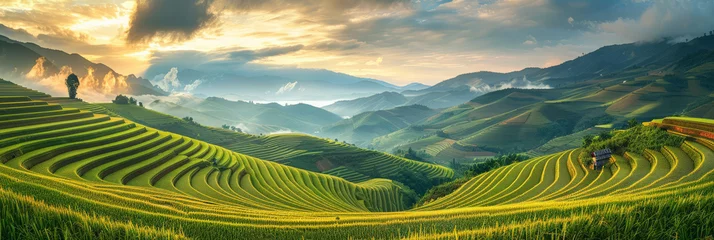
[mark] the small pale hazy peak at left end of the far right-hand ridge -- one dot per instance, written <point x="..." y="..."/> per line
<point x="381" y="101"/>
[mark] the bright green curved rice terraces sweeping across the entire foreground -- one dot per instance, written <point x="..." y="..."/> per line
<point x="67" y="172"/>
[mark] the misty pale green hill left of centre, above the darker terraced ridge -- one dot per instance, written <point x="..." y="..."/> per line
<point x="249" y="117"/>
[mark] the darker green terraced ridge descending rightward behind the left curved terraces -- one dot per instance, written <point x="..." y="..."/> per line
<point x="296" y="150"/>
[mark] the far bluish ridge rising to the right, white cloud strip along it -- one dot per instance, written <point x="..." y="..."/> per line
<point x="602" y="62"/>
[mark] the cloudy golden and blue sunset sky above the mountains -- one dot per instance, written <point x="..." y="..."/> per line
<point x="399" y="41"/>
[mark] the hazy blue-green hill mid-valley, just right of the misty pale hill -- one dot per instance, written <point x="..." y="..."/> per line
<point x="362" y="128"/>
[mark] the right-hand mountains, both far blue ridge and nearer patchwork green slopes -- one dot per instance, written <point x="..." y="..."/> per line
<point x="488" y="113"/>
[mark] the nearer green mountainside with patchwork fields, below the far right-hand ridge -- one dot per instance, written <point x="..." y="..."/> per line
<point x="519" y="120"/>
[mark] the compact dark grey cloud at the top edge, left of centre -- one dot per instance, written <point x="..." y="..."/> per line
<point x="172" y="20"/>
